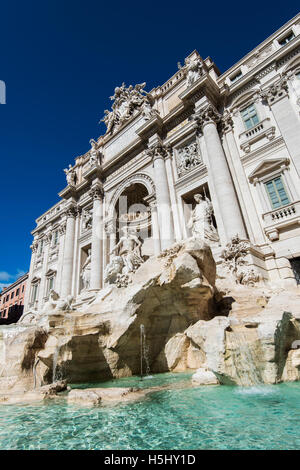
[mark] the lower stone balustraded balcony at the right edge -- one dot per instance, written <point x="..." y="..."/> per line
<point x="280" y="218"/>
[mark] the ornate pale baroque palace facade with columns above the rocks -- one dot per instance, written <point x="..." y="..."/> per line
<point x="229" y="143"/>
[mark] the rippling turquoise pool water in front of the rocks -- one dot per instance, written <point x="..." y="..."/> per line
<point x="182" y="417"/>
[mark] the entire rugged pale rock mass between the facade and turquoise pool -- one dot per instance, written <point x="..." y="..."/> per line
<point x="241" y="334"/>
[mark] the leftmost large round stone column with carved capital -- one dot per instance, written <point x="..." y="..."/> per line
<point x="66" y="282"/>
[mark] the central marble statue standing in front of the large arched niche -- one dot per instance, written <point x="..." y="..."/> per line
<point x="129" y="249"/>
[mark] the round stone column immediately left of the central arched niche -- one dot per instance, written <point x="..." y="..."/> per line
<point x="97" y="238"/>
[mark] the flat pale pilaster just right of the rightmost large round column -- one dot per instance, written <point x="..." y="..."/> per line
<point x="252" y="221"/>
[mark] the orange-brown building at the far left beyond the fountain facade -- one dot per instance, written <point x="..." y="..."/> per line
<point x="12" y="300"/>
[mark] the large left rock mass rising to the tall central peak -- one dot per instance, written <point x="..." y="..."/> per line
<point x="166" y="295"/>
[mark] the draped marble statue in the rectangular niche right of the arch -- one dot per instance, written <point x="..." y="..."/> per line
<point x="201" y="220"/>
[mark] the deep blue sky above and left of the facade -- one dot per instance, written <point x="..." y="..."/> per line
<point x="61" y="60"/>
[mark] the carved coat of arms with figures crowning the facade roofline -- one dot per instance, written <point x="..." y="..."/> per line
<point x="127" y="101"/>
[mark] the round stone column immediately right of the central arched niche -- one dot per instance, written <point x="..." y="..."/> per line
<point x="165" y="218"/>
